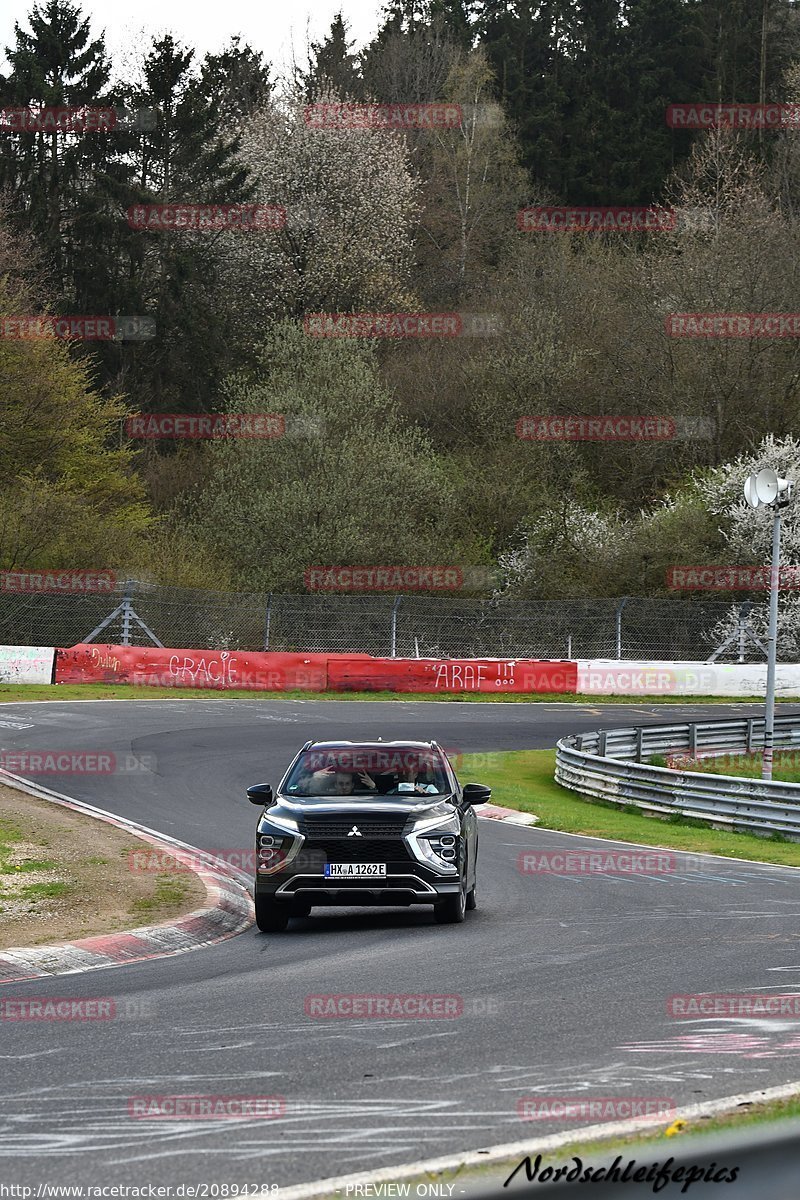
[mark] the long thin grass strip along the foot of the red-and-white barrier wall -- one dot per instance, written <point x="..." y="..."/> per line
<point x="128" y="692"/>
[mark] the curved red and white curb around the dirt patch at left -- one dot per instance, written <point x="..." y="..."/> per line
<point x="228" y="910"/>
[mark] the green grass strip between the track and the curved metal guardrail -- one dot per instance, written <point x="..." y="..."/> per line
<point x="524" y="781"/>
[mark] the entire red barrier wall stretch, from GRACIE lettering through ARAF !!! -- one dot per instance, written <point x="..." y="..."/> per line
<point x="151" y="665"/>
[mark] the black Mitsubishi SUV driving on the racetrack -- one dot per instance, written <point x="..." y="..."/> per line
<point x="366" y="824"/>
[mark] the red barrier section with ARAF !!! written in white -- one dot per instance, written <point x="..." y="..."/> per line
<point x="496" y="676"/>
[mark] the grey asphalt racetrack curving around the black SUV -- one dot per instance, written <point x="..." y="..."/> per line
<point x="564" y="979"/>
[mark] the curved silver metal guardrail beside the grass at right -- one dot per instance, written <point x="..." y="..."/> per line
<point x="612" y="765"/>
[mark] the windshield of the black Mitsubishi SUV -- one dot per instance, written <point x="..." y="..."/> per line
<point x="369" y="771"/>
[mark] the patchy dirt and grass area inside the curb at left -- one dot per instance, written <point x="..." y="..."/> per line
<point x="64" y="875"/>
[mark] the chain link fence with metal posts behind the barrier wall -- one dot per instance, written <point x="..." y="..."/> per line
<point x="406" y="626"/>
